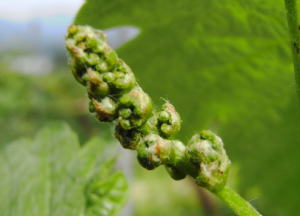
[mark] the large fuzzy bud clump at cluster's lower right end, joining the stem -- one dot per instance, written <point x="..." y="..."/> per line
<point x="206" y="150"/>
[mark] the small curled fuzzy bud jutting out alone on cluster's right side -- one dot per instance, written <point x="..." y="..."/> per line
<point x="168" y="121"/>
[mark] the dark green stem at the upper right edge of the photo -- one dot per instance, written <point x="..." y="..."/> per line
<point x="292" y="19"/>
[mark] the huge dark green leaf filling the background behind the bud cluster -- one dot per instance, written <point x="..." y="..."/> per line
<point x="226" y="65"/>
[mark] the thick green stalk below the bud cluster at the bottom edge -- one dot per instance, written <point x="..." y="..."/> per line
<point x="240" y="206"/>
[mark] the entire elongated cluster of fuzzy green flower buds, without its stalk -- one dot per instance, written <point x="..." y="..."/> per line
<point x="116" y="96"/>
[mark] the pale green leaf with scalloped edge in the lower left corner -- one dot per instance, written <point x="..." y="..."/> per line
<point x="50" y="176"/>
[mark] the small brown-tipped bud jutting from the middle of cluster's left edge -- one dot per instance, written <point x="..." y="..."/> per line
<point x="105" y="109"/>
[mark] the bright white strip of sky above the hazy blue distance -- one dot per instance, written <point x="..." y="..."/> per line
<point x="25" y="10"/>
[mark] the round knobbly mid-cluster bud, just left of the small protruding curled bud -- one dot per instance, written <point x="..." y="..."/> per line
<point x="140" y="105"/>
